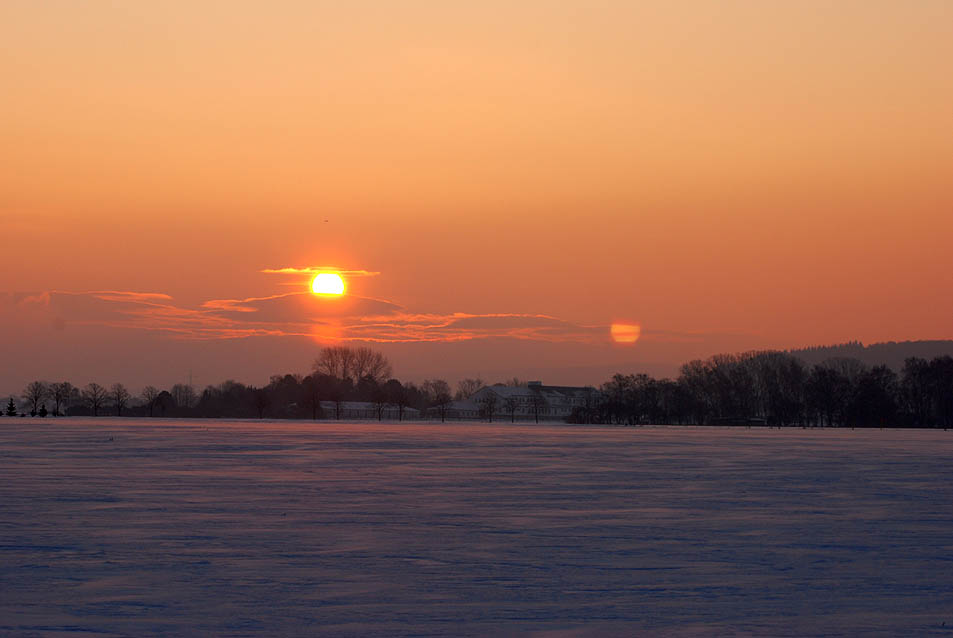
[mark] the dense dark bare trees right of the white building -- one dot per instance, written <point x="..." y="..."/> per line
<point x="779" y="389"/>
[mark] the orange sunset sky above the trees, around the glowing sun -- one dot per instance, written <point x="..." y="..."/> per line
<point x="729" y="175"/>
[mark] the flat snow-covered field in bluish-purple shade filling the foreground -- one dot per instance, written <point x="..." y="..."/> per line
<point x="116" y="527"/>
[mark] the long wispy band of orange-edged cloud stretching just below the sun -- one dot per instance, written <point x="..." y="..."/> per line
<point x="348" y="318"/>
